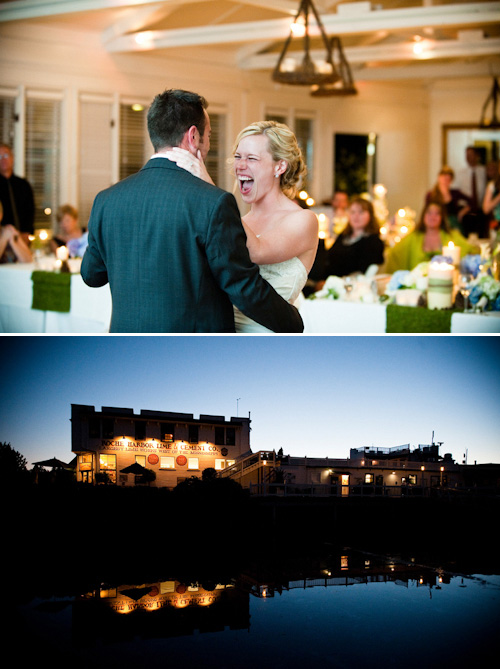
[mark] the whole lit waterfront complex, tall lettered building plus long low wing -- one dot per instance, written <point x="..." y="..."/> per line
<point x="163" y="448"/>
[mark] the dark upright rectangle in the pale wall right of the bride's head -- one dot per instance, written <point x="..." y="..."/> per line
<point x="354" y="163"/>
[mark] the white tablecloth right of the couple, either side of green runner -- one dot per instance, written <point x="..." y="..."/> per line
<point x="339" y="317"/>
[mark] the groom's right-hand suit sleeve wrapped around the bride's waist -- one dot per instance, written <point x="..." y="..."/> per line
<point x="239" y="277"/>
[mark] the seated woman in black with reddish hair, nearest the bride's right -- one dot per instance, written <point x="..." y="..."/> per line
<point x="359" y="245"/>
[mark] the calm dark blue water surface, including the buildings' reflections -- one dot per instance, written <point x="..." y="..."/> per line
<point x="342" y="609"/>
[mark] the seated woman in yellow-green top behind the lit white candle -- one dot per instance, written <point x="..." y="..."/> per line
<point x="427" y="240"/>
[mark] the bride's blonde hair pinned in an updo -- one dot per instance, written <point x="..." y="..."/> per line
<point x="282" y="145"/>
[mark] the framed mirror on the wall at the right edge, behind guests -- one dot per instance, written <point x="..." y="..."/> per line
<point x="457" y="137"/>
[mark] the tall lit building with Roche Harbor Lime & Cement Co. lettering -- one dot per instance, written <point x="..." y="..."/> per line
<point x="174" y="446"/>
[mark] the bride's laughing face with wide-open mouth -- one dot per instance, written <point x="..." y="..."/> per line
<point x="254" y="168"/>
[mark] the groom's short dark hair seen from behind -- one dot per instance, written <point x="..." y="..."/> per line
<point x="172" y="113"/>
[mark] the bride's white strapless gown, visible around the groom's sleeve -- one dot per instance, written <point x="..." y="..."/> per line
<point x="287" y="278"/>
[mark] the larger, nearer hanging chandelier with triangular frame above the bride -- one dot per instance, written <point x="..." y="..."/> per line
<point x="305" y="72"/>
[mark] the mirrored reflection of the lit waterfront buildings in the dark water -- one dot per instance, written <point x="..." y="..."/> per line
<point x="173" y="609"/>
